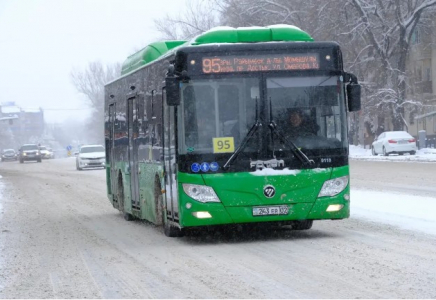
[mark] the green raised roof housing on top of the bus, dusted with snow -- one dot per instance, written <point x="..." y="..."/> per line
<point x="215" y="35"/>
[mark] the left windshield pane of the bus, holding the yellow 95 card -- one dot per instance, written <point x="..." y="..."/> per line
<point x="219" y="108"/>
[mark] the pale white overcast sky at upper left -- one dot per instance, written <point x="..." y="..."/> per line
<point x="41" y="41"/>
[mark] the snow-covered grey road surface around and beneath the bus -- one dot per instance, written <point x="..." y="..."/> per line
<point x="60" y="238"/>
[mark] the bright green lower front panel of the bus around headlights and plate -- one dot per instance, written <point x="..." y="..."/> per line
<point x="238" y="193"/>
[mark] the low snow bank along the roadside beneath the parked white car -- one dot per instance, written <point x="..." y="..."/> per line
<point x="424" y="155"/>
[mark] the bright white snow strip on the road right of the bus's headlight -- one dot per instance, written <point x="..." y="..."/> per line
<point x="405" y="211"/>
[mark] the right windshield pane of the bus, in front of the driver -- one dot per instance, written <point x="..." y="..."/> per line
<point x="310" y="111"/>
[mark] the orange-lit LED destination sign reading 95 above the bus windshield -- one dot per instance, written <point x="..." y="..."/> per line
<point x="255" y="63"/>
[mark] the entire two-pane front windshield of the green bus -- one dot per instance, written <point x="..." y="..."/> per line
<point x="226" y="108"/>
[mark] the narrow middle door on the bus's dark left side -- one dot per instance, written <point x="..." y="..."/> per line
<point x="133" y="150"/>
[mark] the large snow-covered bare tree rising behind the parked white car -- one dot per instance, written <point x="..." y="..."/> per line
<point x="386" y="28"/>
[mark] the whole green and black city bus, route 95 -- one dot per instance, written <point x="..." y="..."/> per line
<point x="199" y="133"/>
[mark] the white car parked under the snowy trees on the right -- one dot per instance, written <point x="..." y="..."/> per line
<point x="394" y="142"/>
